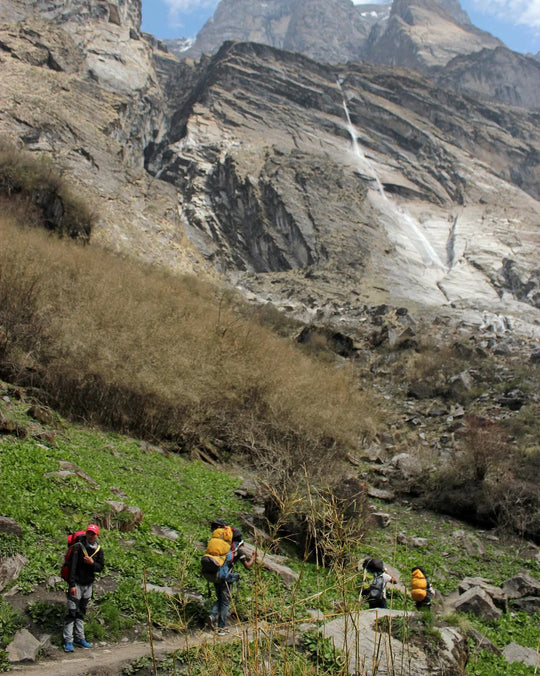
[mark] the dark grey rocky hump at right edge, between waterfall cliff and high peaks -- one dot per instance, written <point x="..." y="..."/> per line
<point x="499" y="74"/>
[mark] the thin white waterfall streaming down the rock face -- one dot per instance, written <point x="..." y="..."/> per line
<point x="403" y="229"/>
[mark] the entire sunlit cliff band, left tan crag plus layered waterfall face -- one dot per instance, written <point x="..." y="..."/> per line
<point x="319" y="187"/>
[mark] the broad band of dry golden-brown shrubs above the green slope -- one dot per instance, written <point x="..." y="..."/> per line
<point x="169" y="357"/>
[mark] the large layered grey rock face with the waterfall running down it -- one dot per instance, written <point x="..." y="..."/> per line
<point x="317" y="183"/>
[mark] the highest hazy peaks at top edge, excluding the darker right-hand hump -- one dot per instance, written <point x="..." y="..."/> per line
<point x="410" y="33"/>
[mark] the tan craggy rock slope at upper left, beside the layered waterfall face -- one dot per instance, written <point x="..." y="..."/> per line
<point x="54" y="101"/>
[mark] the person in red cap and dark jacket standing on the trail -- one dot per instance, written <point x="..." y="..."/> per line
<point x="85" y="561"/>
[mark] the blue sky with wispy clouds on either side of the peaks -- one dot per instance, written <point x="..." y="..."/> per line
<point x="515" y="22"/>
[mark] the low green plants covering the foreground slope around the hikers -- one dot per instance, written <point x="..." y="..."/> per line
<point x="57" y="476"/>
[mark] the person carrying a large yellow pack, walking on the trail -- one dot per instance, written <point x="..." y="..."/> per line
<point x="223" y="550"/>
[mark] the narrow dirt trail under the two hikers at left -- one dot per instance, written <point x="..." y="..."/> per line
<point x="110" y="660"/>
